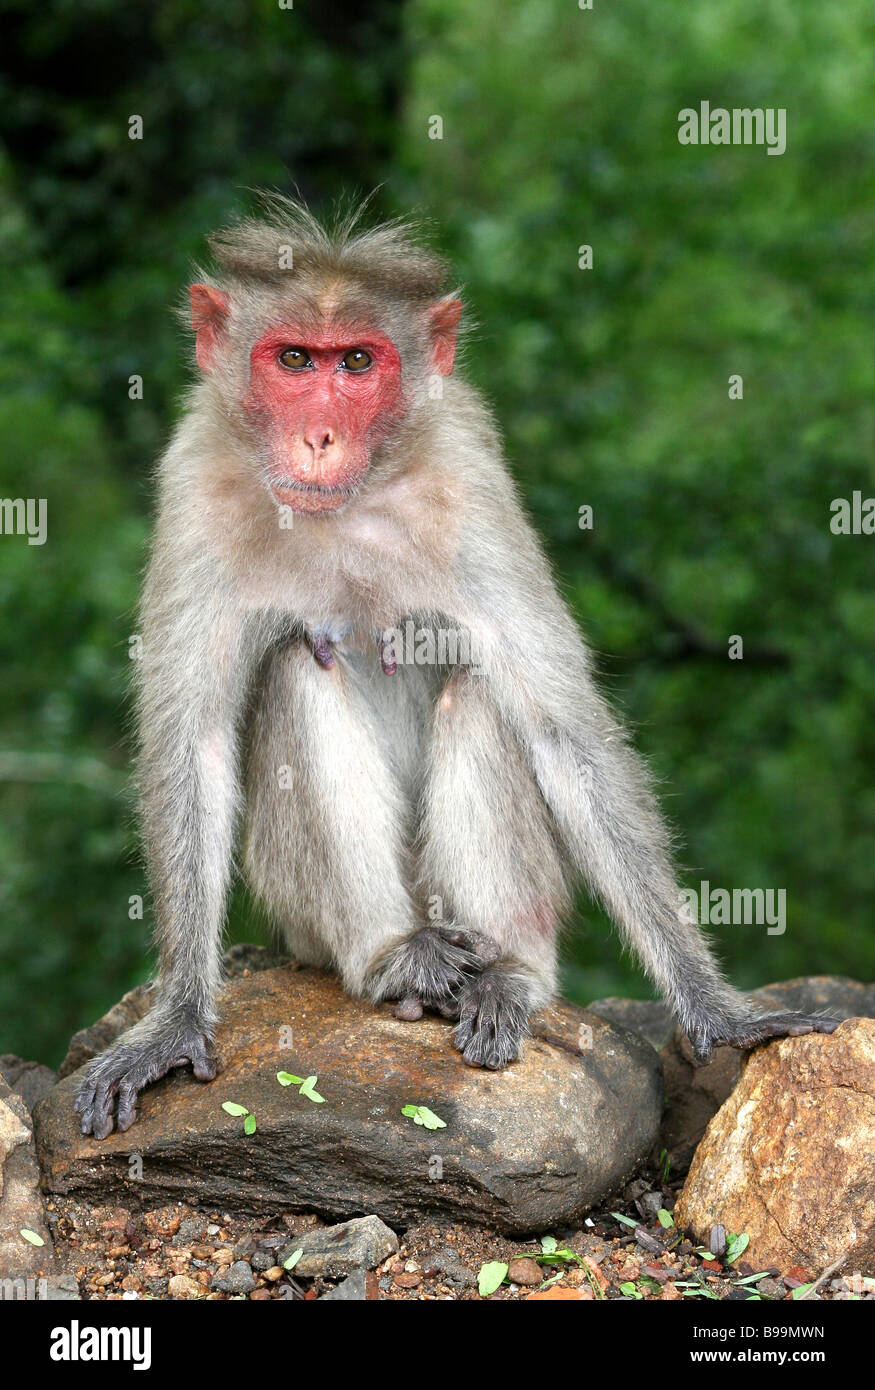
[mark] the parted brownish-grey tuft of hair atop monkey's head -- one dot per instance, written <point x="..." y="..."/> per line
<point x="387" y="256"/>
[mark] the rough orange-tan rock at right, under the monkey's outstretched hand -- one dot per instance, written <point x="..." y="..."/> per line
<point x="791" y="1157"/>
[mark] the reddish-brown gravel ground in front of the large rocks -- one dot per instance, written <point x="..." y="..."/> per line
<point x="186" y="1254"/>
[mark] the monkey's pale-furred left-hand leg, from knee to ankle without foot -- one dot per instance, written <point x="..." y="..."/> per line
<point x="328" y="814"/>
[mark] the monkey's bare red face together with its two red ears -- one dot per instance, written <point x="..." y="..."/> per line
<point x="322" y="402"/>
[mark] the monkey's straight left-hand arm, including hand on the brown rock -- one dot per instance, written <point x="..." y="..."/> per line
<point x="193" y="678"/>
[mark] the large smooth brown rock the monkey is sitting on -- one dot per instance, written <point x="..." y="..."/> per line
<point x="524" y="1149"/>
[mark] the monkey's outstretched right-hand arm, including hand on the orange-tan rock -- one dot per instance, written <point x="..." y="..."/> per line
<point x="538" y="671"/>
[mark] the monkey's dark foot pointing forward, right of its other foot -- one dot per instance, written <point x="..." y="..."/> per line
<point x="495" y="1017"/>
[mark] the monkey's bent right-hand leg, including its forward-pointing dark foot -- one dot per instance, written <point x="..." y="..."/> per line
<point x="489" y="854"/>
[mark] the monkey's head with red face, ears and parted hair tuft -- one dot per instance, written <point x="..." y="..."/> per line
<point x="322" y="344"/>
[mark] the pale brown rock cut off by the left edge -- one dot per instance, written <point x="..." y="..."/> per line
<point x="22" y="1203"/>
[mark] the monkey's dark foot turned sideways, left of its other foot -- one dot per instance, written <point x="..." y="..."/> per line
<point x="429" y="970"/>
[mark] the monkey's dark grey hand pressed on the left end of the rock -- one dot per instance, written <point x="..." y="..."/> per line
<point x="113" y="1082"/>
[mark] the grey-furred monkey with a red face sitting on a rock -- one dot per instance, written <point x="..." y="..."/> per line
<point x="414" y="821"/>
